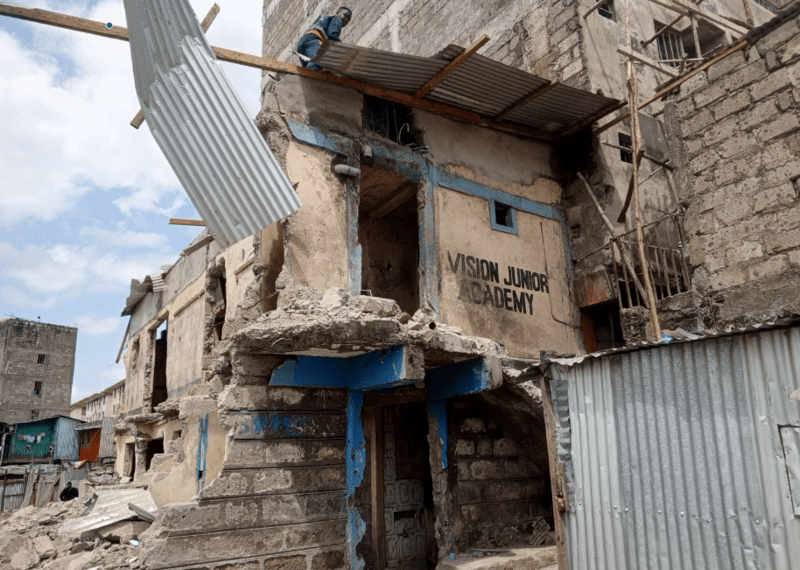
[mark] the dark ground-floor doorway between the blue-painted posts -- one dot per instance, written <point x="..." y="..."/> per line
<point x="396" y="497"/>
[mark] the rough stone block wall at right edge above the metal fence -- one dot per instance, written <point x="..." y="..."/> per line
<point x="737" y="130"/>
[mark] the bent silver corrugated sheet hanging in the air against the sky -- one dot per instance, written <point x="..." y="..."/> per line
<point x="202" y="128"/>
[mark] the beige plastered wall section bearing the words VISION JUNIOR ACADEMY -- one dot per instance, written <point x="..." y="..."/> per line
<point x="526" y="316"/>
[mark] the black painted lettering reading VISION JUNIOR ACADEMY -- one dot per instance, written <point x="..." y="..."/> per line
<point x="478" y="274"/>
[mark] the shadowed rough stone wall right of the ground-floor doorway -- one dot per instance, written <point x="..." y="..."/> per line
<point x="500" y="475"/>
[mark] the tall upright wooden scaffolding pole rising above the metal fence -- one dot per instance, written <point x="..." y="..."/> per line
<point x="636" y="141"/>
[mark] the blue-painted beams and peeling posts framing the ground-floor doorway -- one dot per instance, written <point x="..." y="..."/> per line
<point x="381" y="370"/>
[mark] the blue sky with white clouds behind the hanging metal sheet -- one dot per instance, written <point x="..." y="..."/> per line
<point x="85" y="198"/>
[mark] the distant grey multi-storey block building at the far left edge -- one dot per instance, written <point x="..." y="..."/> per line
<point x="37" y="362"/>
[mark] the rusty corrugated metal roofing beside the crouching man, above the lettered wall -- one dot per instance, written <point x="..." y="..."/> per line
<point x="480" y="84"/>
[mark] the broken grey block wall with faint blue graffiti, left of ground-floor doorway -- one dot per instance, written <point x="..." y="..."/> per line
<point x="279" y="497"/>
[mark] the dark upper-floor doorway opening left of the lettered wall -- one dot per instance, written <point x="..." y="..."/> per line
<point x="388" y="230"/>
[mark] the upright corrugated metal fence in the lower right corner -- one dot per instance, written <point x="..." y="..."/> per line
<point x="674" y="459"/>
